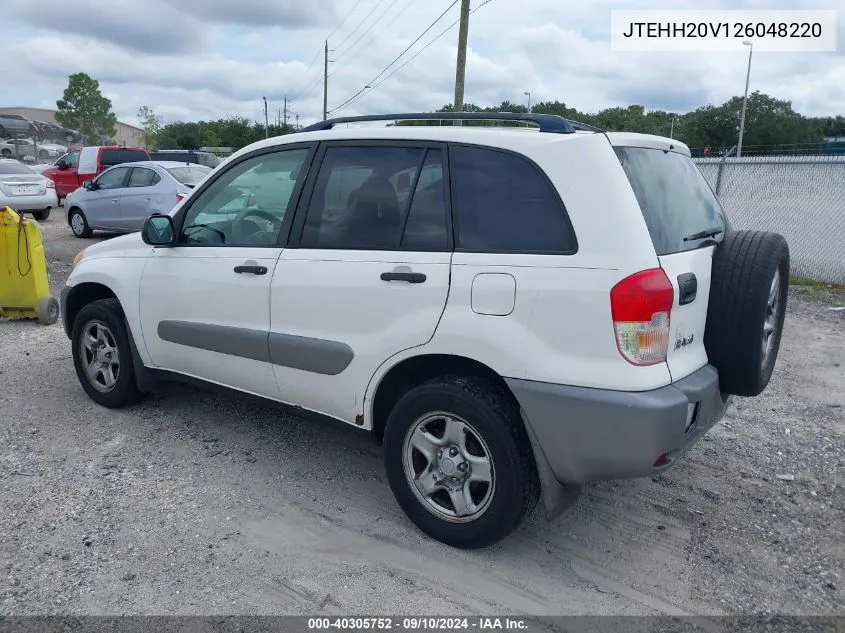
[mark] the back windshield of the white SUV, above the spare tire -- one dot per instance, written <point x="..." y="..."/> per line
<point x="674" y="197"/>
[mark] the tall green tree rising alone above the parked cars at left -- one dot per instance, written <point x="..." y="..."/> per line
<point x="84" y="108"/>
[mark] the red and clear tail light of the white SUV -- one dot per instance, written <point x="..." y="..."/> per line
<point x="641" y="305"/>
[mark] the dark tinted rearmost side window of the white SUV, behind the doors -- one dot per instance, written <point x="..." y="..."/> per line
<point x="504" y="204"/>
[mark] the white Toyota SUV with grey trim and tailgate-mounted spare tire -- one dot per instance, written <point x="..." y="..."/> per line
<point x="513" y="312"/>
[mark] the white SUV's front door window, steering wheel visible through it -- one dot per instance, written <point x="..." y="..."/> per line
<point x="248" y="203"/>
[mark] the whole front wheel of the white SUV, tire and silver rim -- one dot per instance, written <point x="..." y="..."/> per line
<point x="102" y="355"/>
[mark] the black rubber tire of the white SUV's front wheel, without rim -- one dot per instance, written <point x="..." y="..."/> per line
<point x="125" y="390"/>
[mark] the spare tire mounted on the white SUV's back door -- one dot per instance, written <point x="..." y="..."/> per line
<point x="744" y="269"/>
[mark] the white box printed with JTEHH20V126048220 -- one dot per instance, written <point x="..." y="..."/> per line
<point x="715" y="31"/>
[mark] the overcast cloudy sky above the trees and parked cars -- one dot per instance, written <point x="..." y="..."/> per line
<point x="205" y="59"/>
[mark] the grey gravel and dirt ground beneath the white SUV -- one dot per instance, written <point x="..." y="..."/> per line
<point x="195" y="503"/>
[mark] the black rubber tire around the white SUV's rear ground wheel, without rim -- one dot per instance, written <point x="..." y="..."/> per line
<point x="494" y="416"/>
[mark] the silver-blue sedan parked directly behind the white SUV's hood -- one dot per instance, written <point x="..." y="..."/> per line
<point x="122" y="197"/>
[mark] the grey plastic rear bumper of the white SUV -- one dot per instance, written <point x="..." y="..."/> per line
<point x="595" y="434"/>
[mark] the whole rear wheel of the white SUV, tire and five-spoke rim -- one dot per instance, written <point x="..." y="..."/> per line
<point x="459" y="461"/>
